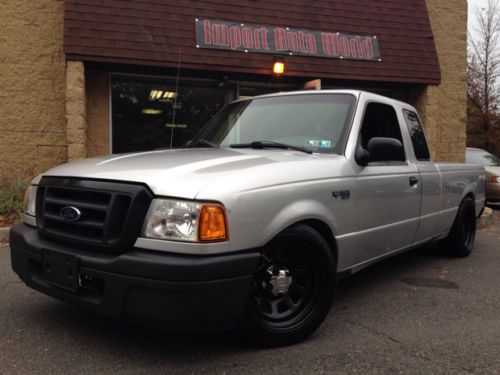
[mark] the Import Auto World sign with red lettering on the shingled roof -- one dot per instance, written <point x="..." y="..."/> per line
<point x="245" y="37"/>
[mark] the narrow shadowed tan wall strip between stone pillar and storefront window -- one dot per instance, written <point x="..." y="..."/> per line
<point x="97" y="113"/>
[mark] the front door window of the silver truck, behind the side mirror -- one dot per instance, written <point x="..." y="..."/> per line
<point x="380" y="121"/>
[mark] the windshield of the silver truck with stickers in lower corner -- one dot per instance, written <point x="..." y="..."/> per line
<point x="315" y="122"/>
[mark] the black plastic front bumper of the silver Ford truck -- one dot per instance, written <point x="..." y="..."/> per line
<point x="175" y="292"/>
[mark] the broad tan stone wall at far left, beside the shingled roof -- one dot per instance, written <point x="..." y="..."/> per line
<point x="32" y="86"/>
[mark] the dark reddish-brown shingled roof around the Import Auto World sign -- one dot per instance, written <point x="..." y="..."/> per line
<point x="155" y="32"/>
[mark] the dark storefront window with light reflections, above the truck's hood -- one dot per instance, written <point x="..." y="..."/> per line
<point x="149" y="114"/>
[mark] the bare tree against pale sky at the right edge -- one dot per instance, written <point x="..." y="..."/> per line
<point x="484" y="68"/>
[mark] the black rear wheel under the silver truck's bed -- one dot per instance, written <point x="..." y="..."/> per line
<point x="460" y="241"/>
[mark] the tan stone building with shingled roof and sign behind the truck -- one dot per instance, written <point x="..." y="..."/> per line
<point x="87" y="78"/>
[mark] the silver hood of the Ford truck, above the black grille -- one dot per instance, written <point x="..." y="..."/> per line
<point x="177" y="173"/>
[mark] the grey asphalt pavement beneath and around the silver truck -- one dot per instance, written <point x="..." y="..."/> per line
<point x="417" y="313"/>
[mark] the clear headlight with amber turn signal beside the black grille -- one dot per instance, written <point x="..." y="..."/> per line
<point x="185" y="221"/>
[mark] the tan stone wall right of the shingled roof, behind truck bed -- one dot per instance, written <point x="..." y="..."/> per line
<point x="443" y="107"/>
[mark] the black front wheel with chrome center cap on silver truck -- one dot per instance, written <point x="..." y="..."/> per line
<point x="292" y="290"/>
